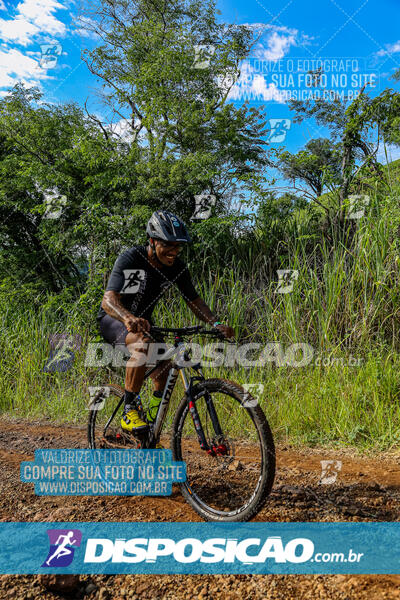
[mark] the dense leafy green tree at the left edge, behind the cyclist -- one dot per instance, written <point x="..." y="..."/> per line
<point x="50" y="150"/>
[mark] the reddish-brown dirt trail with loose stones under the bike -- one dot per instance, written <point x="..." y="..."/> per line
<point x="366" y="489"/>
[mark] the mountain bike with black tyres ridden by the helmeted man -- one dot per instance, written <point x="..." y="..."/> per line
<point x="219" y="430"/>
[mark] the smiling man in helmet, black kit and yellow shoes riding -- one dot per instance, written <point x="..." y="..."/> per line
<point x="139" y="278"/>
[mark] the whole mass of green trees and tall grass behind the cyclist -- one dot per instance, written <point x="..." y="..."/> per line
<point x="186" y="140"/>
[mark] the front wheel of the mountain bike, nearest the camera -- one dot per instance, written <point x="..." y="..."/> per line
<point x="234" y="483"/>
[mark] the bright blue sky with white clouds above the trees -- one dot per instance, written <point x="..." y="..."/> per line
<point x="362" y="36"/>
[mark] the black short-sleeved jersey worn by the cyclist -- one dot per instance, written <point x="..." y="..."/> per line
<point x="141" y="285"/>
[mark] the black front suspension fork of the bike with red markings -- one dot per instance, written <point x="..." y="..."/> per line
<point x="213" y="450"/>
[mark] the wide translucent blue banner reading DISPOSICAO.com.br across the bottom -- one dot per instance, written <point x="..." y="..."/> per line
<point x="209" y="548"/>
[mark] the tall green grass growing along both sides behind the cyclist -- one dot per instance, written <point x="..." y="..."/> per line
<point x="344" y="304"/>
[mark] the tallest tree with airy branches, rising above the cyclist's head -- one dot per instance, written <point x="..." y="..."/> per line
<point x="186" y="137"/>
